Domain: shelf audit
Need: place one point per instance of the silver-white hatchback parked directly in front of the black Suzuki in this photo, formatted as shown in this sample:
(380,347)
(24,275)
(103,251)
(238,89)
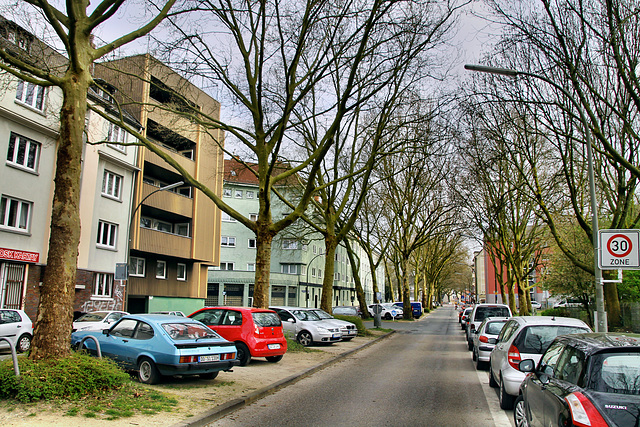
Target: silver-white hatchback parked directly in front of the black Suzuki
(524,337)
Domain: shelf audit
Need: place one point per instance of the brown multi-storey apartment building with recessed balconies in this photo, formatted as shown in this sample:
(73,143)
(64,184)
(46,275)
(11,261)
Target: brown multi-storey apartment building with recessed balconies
(175,234)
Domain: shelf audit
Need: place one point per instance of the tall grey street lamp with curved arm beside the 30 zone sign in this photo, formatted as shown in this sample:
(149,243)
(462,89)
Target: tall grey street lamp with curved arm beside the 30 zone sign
(601,324)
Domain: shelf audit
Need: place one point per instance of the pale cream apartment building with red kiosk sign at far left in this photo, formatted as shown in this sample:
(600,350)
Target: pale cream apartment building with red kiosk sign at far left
(29,123)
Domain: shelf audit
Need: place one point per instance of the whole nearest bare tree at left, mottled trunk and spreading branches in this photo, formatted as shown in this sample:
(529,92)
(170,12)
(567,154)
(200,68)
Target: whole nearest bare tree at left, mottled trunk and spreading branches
(74,30)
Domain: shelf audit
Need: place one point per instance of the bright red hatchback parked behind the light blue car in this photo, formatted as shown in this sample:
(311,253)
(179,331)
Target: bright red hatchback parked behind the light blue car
(257,332)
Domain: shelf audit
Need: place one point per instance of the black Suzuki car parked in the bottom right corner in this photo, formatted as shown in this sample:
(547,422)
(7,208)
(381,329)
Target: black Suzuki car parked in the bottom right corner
(582,380)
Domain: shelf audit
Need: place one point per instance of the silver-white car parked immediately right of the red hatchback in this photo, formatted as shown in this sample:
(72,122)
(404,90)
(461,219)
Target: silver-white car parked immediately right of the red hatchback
(306,326)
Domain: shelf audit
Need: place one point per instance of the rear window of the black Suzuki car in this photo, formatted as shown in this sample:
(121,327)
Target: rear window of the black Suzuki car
(616,373)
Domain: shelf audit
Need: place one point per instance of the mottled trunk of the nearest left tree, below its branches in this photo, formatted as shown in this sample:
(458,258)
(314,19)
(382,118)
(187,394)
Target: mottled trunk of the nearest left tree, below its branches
(52,331)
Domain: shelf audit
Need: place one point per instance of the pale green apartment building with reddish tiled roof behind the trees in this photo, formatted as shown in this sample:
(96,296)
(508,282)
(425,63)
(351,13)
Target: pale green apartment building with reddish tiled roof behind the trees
(297,256)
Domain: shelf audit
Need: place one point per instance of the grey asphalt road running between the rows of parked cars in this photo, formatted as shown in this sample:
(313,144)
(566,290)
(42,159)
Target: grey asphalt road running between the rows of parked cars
(421,376)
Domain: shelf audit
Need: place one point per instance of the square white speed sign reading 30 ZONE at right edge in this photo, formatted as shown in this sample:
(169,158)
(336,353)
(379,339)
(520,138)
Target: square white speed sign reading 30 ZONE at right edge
(619,249)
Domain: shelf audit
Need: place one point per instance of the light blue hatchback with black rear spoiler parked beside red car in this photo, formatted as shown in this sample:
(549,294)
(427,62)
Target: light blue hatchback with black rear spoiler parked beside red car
(158,344)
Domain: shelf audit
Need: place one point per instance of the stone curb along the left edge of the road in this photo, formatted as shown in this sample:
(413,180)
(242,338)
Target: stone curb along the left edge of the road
(235,404)
